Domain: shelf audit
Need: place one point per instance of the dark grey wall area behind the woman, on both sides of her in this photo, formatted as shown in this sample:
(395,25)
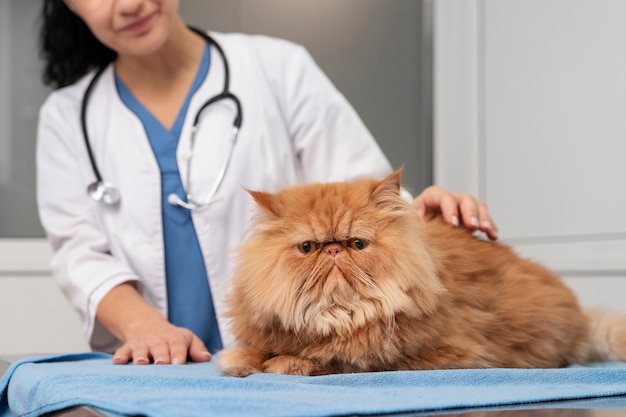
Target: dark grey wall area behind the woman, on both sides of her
(375,51)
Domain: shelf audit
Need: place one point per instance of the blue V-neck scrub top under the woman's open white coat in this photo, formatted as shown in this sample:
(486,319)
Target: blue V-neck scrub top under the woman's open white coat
(190,303)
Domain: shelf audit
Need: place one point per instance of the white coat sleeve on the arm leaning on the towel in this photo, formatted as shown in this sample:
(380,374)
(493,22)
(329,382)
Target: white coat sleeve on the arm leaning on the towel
(81,263)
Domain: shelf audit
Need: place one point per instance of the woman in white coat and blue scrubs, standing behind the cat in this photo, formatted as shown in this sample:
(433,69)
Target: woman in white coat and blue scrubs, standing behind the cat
(142,166)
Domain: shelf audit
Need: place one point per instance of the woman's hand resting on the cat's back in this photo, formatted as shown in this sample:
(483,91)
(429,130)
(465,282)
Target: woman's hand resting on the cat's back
(473,213)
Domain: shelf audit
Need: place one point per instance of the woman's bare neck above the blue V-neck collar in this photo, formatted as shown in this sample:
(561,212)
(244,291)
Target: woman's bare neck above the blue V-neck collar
(180,54)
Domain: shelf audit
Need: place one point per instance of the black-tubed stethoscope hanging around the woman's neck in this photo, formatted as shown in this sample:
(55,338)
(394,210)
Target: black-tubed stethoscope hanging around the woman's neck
(107,193)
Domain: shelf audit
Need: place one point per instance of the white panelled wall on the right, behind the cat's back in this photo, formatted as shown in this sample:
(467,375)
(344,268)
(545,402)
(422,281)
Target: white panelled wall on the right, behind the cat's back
(529,102)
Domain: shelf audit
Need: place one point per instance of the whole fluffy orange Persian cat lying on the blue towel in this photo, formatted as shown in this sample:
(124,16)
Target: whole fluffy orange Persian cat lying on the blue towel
(346,277)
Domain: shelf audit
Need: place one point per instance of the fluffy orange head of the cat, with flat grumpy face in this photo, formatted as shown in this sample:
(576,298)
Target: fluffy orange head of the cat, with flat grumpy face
(327,259)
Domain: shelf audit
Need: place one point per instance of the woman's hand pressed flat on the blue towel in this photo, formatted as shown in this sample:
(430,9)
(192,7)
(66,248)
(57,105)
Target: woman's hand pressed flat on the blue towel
(160,342)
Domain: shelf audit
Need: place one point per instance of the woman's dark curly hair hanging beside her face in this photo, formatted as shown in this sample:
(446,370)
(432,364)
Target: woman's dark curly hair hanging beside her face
(67,46)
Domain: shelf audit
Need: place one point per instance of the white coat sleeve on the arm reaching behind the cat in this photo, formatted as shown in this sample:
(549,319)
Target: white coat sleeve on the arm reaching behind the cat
(329,139)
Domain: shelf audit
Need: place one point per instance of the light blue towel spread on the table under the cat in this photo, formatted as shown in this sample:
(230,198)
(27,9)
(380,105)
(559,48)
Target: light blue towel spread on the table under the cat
(39,385)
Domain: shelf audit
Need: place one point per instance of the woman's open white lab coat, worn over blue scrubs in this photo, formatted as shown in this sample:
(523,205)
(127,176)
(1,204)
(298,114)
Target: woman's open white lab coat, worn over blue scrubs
(296,127)
